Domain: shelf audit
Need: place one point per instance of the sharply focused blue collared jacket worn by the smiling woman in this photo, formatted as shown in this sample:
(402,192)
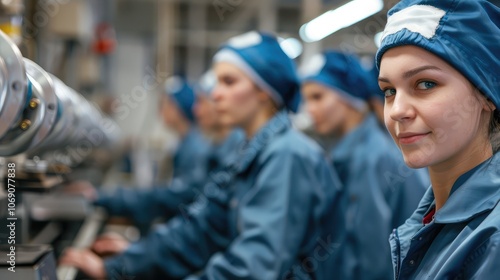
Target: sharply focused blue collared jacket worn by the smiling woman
(462,240)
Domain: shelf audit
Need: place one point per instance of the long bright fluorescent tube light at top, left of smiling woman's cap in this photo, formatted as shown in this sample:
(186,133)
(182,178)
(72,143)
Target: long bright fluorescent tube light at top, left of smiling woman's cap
(339,18)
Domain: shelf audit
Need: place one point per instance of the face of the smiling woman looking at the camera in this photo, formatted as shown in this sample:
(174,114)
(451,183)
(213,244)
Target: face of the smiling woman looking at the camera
(433,113)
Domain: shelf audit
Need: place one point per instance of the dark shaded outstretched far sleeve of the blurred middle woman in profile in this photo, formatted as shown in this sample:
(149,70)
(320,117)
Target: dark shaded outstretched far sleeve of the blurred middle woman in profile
(178,248)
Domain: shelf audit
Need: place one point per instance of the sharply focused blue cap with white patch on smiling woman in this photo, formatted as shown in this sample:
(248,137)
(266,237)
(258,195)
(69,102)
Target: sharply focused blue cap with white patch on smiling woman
(464,33)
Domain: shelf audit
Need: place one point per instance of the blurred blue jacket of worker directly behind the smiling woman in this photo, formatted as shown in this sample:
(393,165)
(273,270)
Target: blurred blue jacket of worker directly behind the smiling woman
(382,192)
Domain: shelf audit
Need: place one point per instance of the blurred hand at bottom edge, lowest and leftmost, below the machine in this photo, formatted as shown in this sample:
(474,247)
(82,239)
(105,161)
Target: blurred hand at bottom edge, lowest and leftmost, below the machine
(85,260)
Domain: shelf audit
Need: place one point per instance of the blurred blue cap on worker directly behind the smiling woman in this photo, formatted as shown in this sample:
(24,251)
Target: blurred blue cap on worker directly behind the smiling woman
(343,73)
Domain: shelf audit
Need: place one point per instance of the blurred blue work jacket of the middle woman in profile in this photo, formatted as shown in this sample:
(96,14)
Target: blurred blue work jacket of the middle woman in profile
(269,215)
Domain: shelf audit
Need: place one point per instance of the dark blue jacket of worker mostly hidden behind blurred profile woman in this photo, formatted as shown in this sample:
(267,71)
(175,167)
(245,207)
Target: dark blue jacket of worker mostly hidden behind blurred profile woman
(145,205)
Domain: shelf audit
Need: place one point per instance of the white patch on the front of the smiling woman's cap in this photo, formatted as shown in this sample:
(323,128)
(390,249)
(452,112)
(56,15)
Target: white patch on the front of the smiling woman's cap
(422,19)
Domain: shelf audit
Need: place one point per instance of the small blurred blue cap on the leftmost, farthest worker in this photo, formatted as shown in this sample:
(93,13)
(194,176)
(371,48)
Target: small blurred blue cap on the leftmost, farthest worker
(182,94)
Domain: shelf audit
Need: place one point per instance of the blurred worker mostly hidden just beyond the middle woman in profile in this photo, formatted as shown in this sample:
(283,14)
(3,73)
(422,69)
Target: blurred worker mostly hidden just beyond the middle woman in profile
(164,202)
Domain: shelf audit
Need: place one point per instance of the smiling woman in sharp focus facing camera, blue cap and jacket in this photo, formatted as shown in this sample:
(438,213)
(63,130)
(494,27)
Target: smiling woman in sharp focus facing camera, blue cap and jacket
(439,63)
